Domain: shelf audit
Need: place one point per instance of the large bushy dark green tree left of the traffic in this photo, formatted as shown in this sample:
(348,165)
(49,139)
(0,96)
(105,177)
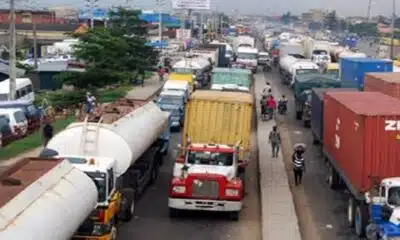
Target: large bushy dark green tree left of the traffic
(111,55)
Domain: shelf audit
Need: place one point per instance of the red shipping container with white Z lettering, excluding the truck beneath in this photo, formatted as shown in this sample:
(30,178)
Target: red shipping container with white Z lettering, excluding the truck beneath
(362,136)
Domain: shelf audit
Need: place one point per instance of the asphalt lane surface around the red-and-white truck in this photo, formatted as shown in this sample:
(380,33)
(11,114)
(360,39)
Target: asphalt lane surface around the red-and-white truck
(151,221)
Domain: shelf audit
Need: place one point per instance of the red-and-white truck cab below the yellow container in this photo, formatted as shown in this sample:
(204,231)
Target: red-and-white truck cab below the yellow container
(207,177)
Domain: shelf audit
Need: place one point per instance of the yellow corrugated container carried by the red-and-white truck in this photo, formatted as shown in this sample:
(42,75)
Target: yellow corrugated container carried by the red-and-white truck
(219,117)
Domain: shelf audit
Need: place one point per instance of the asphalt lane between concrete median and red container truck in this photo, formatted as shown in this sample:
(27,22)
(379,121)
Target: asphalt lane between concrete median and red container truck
(321,211)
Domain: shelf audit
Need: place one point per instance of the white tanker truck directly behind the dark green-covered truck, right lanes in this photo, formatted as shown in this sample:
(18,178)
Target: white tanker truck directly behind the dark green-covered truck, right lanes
(290,67)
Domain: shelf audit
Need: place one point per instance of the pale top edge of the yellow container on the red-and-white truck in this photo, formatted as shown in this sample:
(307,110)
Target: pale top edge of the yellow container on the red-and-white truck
(222,96)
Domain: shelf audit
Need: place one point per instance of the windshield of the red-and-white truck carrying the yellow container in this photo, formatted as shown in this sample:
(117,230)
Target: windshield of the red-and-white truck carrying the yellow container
(210,158)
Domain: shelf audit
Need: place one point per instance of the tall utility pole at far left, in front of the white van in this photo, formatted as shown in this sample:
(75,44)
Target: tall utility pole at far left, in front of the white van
(13,49)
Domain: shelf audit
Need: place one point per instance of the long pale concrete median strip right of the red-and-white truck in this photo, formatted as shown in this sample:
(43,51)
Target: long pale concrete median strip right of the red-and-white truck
(278,215)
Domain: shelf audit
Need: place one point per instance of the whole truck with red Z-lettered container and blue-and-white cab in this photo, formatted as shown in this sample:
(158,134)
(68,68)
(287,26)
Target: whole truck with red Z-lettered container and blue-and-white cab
(361,144)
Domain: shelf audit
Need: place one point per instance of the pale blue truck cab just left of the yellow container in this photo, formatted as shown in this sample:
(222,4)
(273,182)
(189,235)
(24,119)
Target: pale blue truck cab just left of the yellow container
(173,102)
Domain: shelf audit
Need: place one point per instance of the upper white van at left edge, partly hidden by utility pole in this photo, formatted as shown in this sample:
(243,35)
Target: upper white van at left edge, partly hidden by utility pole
(24,89)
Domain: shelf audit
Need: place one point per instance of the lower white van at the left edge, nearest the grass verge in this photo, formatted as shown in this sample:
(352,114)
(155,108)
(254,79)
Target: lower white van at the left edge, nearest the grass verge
(18,122)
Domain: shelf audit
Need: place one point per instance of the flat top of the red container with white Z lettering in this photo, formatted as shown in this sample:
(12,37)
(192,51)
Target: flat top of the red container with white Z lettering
(368,103)
